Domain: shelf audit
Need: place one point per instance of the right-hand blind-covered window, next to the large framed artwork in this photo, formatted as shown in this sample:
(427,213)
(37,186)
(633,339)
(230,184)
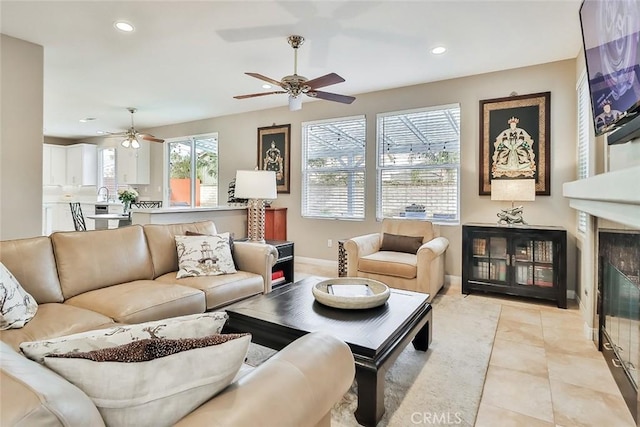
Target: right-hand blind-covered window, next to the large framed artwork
(418,164)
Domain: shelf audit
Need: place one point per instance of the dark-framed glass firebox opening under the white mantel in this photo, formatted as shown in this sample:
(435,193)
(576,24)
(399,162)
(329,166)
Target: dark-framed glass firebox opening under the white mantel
(619,308)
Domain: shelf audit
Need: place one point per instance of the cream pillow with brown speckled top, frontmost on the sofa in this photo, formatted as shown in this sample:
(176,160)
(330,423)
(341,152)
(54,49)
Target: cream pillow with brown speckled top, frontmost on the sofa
(159,391)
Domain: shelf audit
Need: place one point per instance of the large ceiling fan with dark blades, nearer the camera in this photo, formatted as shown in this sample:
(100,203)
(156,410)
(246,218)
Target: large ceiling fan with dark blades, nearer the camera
(296,85)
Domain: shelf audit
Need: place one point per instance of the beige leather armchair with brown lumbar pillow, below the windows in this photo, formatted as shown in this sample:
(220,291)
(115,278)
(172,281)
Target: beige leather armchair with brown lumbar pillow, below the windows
(421,271)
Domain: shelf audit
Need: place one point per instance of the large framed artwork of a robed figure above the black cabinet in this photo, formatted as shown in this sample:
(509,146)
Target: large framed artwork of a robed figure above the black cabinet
(514,140)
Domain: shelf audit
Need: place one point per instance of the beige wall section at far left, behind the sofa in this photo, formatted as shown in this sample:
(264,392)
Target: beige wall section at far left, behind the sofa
(20,138)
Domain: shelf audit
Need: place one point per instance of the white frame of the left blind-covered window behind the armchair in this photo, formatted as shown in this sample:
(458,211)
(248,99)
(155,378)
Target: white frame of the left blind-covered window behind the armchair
(356,208)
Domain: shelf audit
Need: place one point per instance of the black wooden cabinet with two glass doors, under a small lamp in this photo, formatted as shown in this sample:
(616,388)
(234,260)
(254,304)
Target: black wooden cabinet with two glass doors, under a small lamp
(527,261)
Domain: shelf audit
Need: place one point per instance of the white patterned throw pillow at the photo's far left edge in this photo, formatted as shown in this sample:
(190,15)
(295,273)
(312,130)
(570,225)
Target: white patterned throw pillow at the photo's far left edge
(17,307)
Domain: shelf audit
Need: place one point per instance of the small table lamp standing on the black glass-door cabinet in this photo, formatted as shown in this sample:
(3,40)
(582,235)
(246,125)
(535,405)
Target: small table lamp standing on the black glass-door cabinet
(513,190)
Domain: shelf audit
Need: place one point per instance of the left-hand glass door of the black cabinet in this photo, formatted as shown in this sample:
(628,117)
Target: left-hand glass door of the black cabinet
(490,258)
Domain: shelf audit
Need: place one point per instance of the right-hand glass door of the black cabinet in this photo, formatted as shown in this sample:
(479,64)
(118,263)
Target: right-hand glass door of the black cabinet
(533,262)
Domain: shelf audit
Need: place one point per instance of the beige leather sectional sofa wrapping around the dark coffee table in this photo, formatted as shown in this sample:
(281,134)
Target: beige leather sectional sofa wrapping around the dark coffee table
(95,279)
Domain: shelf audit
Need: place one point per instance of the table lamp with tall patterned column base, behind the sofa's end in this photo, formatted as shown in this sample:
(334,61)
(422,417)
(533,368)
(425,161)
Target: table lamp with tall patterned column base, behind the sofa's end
(257,186)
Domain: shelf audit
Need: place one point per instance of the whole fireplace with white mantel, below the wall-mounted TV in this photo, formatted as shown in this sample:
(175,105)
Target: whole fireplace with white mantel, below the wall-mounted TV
(611,254)
